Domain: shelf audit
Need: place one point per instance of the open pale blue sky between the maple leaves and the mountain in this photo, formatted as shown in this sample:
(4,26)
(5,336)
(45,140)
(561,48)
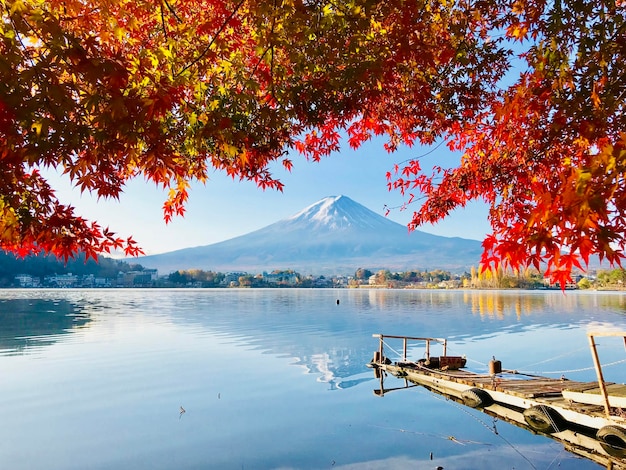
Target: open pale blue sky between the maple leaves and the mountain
(223,208)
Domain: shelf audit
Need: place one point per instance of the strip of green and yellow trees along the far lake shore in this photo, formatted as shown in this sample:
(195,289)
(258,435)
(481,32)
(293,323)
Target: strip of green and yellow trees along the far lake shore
(42,266)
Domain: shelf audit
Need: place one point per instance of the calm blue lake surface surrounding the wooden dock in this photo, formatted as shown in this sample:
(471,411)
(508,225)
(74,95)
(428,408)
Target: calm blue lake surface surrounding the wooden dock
(276,379)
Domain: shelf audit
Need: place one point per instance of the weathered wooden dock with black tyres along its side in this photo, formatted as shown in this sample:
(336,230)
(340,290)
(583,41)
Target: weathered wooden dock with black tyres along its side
(586,415)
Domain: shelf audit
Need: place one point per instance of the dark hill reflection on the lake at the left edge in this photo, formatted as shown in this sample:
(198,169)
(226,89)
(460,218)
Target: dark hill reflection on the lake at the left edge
(33,323)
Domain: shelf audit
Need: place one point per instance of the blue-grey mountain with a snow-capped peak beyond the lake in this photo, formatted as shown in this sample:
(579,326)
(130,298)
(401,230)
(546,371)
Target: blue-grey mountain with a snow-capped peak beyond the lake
(333,236)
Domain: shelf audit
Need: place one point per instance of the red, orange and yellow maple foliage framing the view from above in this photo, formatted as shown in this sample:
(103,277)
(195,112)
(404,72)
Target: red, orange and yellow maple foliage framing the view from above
(530,93)
